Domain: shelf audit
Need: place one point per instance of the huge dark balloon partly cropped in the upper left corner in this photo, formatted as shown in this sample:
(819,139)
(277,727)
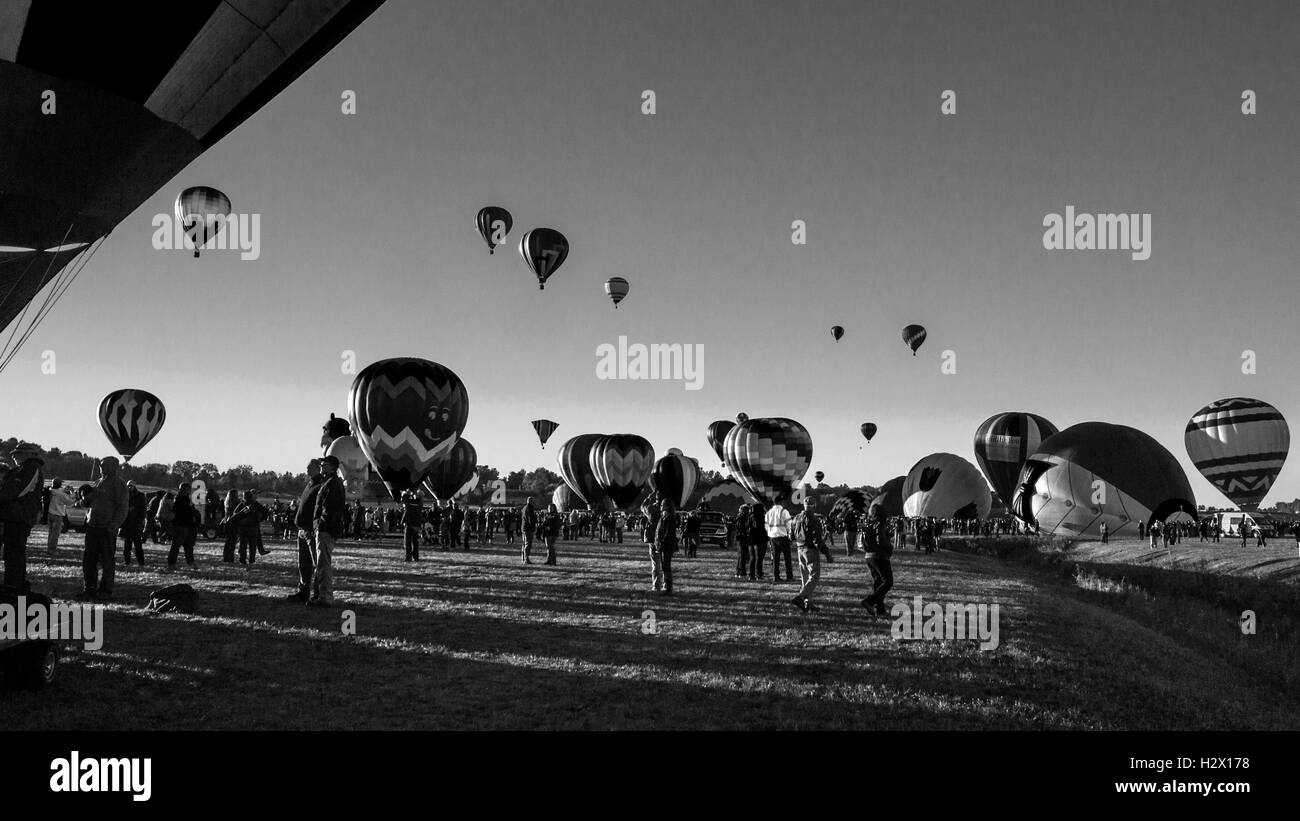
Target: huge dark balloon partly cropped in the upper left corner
(125,128)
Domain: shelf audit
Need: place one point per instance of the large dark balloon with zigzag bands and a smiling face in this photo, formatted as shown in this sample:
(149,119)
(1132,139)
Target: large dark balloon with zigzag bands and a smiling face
(408,414)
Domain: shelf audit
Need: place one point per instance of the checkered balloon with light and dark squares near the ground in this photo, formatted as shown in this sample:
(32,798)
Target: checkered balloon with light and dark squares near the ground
(769,457)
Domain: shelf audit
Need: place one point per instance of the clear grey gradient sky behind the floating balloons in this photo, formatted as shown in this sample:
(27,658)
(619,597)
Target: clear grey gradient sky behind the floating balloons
(766,114)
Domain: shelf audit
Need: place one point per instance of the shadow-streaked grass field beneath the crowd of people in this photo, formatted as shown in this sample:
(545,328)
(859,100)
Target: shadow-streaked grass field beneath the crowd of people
(479,641)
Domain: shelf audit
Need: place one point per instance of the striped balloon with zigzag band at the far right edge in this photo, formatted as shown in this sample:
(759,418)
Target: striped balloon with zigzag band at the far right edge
(1240,446)
